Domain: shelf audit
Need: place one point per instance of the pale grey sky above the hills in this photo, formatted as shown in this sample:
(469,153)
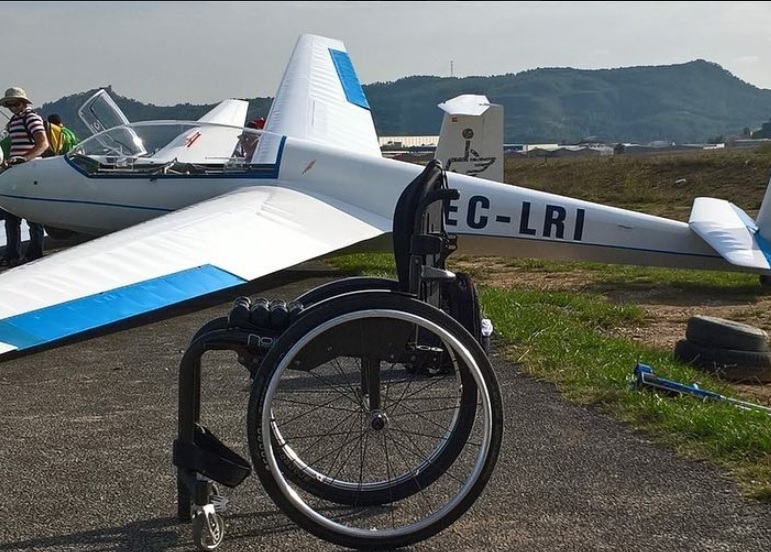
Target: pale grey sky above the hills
(167,53)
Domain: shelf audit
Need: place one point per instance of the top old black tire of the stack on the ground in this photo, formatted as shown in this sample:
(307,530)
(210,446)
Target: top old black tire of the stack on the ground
(719,333)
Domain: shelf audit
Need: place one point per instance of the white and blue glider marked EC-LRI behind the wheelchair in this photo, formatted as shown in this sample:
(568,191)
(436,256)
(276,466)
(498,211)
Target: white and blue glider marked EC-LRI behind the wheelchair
(316,184)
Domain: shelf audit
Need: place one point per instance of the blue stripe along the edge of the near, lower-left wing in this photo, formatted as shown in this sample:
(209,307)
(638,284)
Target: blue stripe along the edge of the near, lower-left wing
(88,313)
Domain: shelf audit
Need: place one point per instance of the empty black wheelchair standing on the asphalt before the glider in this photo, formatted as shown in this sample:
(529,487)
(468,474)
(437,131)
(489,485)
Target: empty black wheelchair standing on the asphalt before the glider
(374,417)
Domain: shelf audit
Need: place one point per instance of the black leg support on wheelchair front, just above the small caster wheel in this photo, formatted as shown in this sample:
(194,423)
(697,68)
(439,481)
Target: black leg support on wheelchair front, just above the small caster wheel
(211,458)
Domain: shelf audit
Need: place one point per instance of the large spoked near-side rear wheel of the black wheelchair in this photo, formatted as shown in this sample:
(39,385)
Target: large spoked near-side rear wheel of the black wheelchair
(375,420)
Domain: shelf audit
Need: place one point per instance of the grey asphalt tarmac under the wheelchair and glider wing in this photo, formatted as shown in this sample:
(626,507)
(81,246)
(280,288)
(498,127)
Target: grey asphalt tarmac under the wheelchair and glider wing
(86,433)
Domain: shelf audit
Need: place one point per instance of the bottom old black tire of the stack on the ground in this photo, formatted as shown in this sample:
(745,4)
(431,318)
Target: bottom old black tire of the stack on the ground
(728,364)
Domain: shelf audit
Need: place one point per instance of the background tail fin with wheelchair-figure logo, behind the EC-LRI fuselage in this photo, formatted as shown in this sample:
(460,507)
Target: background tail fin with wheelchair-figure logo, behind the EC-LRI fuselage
(471,138)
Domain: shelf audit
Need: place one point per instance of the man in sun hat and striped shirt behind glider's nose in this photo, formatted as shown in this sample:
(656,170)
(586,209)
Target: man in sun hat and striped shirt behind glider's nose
(28,141)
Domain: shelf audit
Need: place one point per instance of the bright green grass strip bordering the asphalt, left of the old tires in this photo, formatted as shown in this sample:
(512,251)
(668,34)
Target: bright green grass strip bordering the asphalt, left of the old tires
(560,337)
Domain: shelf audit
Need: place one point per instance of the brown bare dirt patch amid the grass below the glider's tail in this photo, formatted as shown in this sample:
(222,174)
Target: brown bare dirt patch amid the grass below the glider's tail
(667,307)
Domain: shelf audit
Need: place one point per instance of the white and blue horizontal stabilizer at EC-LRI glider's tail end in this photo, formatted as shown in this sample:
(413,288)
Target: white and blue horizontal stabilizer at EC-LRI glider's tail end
(730,232)
